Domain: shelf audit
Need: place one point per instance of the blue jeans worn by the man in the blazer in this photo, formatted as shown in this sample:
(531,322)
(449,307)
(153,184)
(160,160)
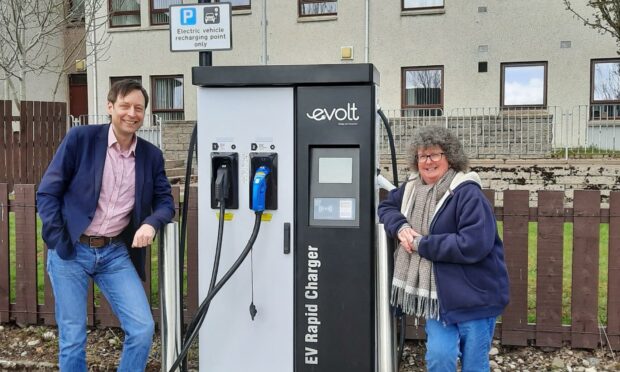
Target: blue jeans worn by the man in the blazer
(111,268)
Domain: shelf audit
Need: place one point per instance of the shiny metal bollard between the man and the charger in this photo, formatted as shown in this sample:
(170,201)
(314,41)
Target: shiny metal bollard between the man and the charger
(169,295)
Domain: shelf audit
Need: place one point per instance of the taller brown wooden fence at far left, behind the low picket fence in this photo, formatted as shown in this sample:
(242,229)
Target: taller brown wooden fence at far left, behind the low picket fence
(28,141)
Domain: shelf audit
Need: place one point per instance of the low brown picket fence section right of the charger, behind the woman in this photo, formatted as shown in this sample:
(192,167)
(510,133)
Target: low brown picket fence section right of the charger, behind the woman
(585,330)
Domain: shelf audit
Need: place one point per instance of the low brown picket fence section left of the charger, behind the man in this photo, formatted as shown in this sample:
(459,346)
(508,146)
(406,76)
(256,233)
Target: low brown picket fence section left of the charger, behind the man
(26,309)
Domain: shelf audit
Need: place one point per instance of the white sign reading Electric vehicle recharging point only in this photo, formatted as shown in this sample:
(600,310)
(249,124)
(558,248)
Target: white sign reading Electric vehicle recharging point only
(200,27)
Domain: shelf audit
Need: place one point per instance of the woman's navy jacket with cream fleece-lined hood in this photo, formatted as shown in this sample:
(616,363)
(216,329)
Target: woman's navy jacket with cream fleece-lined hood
(467,253)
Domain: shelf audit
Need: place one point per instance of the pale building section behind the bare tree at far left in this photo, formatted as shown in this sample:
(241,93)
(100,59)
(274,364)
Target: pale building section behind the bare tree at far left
(48,56)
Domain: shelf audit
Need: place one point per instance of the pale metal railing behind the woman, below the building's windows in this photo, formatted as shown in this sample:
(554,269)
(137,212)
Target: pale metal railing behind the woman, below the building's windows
(489,132)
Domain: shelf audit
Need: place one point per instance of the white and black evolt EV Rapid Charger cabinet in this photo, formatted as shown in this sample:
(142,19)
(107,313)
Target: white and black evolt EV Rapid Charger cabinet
(305,300)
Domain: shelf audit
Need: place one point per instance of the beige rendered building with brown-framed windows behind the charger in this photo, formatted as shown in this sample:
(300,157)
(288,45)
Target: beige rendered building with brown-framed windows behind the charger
(434,56)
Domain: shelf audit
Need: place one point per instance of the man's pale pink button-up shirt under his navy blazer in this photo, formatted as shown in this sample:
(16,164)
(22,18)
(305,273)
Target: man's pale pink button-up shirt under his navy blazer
(117,196)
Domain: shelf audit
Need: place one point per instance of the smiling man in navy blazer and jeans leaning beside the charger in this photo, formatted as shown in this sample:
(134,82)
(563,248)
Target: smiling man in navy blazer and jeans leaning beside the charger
(101,200)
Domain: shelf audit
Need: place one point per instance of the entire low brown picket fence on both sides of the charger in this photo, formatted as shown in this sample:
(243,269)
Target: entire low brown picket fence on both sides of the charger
(587,215)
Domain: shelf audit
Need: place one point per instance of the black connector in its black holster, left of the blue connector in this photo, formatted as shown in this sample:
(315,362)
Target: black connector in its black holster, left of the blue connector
(225,180)
